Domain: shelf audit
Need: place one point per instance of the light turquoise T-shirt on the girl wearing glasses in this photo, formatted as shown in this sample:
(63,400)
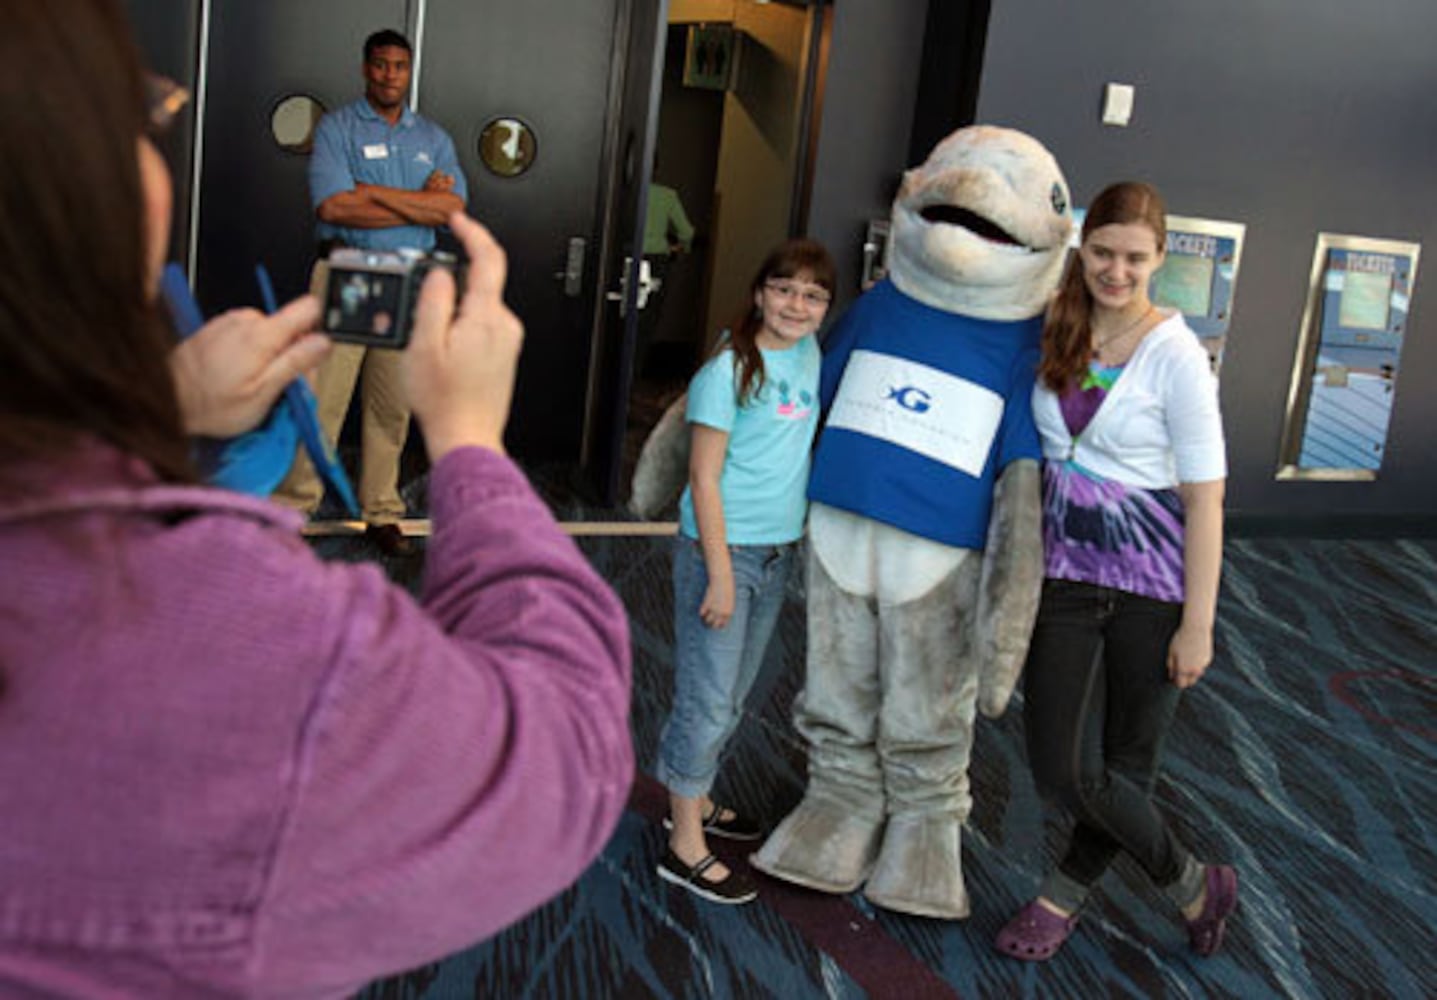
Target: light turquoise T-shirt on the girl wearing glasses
(771,437)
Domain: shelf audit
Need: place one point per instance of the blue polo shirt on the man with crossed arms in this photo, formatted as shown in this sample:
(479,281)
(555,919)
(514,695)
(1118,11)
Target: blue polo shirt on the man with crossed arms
(357,146)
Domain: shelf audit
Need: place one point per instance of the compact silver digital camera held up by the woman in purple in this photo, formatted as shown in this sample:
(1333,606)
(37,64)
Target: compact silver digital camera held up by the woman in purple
(369,297)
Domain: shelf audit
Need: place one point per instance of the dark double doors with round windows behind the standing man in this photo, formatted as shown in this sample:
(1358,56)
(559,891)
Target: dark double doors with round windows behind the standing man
(565,85)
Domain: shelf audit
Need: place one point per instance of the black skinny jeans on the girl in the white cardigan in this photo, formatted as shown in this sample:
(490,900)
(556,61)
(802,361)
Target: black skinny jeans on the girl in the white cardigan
(1099,706)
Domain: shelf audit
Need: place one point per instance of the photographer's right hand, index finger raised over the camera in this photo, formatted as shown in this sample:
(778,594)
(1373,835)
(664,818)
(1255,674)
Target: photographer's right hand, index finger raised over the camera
(459,370)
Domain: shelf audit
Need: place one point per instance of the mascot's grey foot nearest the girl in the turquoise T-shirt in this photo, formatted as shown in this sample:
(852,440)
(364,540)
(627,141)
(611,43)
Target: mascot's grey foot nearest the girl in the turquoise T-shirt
(821,846)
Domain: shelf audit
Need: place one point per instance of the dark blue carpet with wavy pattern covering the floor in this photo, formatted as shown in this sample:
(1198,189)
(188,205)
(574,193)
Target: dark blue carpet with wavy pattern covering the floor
(1307,758)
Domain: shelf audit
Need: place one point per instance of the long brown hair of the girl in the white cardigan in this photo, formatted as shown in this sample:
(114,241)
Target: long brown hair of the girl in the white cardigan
(1068,325)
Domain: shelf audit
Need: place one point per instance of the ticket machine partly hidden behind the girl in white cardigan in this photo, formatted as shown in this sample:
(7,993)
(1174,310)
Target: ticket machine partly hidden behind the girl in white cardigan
(1199,277)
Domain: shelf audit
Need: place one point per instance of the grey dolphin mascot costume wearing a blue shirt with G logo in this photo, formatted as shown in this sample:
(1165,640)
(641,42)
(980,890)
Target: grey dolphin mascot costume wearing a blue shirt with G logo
(926,547)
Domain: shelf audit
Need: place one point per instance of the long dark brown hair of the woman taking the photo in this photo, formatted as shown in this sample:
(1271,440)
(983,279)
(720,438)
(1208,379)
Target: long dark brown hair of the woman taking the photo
(83,350)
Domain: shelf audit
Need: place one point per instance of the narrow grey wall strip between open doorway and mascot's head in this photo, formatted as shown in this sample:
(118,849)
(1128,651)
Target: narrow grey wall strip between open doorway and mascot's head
(869,108)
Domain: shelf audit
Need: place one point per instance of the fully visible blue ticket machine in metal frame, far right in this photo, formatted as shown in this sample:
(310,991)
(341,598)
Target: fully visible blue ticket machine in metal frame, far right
(1344,377)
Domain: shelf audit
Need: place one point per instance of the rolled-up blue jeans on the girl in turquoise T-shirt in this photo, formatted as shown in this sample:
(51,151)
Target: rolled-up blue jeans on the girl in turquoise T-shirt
(716,667)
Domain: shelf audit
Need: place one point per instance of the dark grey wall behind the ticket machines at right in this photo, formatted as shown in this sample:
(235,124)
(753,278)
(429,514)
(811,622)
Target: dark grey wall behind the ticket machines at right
(1291,119)
